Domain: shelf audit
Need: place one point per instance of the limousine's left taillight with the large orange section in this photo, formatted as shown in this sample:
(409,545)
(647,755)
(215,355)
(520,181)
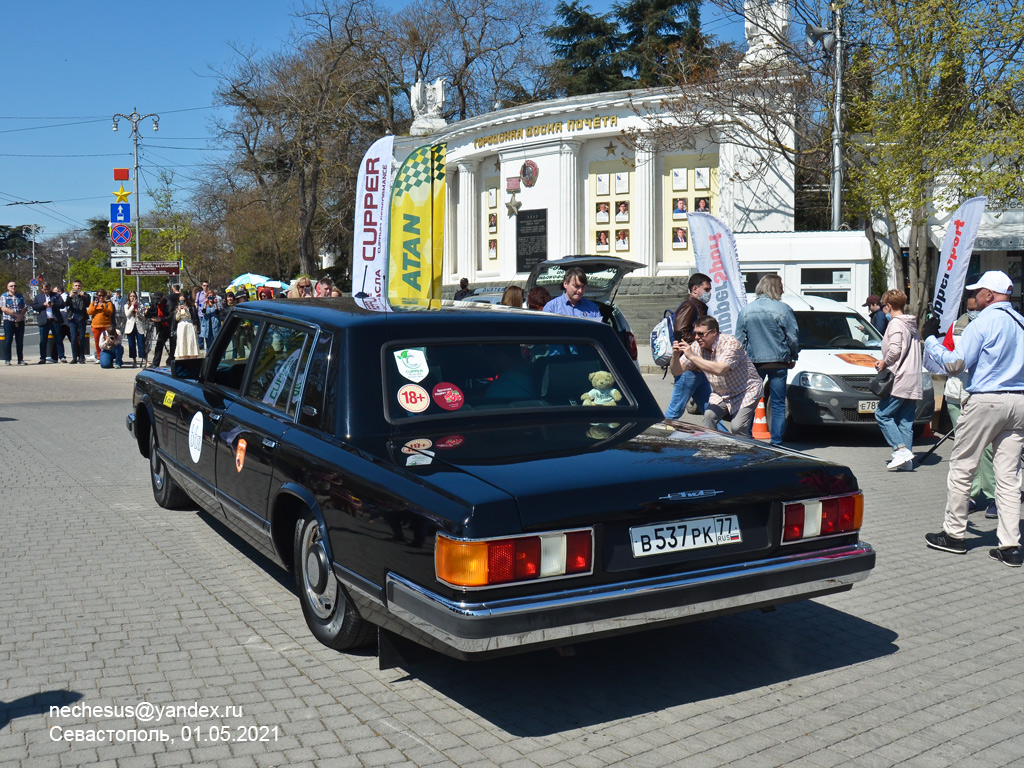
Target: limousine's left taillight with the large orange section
(498,562)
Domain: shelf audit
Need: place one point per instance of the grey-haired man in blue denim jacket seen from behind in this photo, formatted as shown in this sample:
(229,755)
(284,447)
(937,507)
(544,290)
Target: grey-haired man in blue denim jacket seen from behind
(767,329)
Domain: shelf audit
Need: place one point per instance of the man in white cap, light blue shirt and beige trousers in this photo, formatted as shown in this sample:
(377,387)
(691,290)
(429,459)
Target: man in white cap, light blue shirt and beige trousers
(993,351)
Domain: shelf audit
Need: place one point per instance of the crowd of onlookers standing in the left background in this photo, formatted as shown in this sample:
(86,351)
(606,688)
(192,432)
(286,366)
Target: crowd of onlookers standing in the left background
(183,323)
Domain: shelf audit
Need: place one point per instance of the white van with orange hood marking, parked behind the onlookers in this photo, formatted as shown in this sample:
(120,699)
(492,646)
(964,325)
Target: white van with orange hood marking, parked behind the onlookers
(838,351)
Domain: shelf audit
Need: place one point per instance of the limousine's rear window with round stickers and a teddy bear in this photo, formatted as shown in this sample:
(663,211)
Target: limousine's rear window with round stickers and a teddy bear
(455,379)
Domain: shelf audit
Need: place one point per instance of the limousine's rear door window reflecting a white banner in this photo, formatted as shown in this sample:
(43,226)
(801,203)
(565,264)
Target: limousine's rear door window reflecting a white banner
(279,367)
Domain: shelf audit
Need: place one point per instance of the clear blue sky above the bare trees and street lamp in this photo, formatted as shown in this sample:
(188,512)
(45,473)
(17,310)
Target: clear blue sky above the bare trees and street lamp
(71,66)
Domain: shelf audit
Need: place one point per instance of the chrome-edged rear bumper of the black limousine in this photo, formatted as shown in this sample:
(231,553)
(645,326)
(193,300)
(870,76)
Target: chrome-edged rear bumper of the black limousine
(468,629)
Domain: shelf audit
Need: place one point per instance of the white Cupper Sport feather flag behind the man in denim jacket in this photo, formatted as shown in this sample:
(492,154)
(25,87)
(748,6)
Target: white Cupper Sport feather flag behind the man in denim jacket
(715,249)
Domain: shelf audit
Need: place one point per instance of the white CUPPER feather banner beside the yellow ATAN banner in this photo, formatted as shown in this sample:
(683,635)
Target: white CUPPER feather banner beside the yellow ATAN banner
(370,240)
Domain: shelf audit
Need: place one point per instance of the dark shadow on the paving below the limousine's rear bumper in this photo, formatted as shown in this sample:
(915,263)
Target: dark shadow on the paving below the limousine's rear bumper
(542,694)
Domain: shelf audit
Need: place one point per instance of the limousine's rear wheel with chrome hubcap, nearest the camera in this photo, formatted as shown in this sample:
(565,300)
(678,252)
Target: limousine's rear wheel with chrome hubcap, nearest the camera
(330,615)
